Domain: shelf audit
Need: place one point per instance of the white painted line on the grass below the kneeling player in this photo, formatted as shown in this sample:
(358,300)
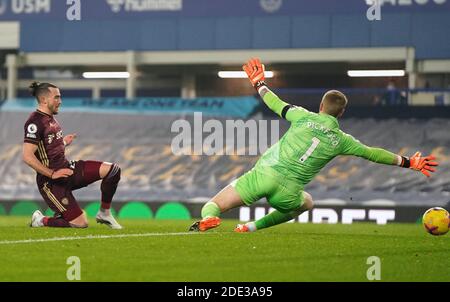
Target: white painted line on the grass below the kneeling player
(6,242)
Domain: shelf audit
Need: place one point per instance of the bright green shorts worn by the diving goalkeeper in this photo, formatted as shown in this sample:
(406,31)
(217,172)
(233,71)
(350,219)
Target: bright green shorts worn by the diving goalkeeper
(282,194)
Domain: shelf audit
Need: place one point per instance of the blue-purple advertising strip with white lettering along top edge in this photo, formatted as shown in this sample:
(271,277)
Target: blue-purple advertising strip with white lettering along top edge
(132,9)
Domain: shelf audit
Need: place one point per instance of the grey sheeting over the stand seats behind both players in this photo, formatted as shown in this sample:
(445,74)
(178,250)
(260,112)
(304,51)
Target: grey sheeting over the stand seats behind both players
(143,144)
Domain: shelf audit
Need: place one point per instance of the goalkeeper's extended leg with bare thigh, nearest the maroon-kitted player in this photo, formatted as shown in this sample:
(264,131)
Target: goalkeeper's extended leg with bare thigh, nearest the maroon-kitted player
(225,200)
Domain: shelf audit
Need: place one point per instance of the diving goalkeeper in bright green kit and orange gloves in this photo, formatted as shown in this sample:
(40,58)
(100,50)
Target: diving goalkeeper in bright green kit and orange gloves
(281,173)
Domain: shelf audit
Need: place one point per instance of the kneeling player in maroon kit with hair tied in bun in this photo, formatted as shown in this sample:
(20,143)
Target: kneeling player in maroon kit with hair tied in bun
(43,150)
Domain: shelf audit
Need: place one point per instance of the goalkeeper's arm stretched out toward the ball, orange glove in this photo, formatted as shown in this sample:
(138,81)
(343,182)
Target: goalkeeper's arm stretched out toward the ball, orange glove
(426,164)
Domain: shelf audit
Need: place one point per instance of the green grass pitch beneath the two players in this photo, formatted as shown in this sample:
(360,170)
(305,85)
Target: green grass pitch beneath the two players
(290,252)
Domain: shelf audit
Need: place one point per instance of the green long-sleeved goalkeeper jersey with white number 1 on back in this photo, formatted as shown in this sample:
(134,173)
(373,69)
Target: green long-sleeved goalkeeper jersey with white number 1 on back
(312,140)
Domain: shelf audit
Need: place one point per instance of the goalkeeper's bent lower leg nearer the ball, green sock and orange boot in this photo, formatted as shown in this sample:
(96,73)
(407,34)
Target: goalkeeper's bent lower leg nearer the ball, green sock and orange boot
(277,217)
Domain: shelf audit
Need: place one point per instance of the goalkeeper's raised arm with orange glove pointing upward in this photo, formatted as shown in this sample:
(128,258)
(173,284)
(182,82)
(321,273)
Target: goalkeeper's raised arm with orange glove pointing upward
(255,72)
